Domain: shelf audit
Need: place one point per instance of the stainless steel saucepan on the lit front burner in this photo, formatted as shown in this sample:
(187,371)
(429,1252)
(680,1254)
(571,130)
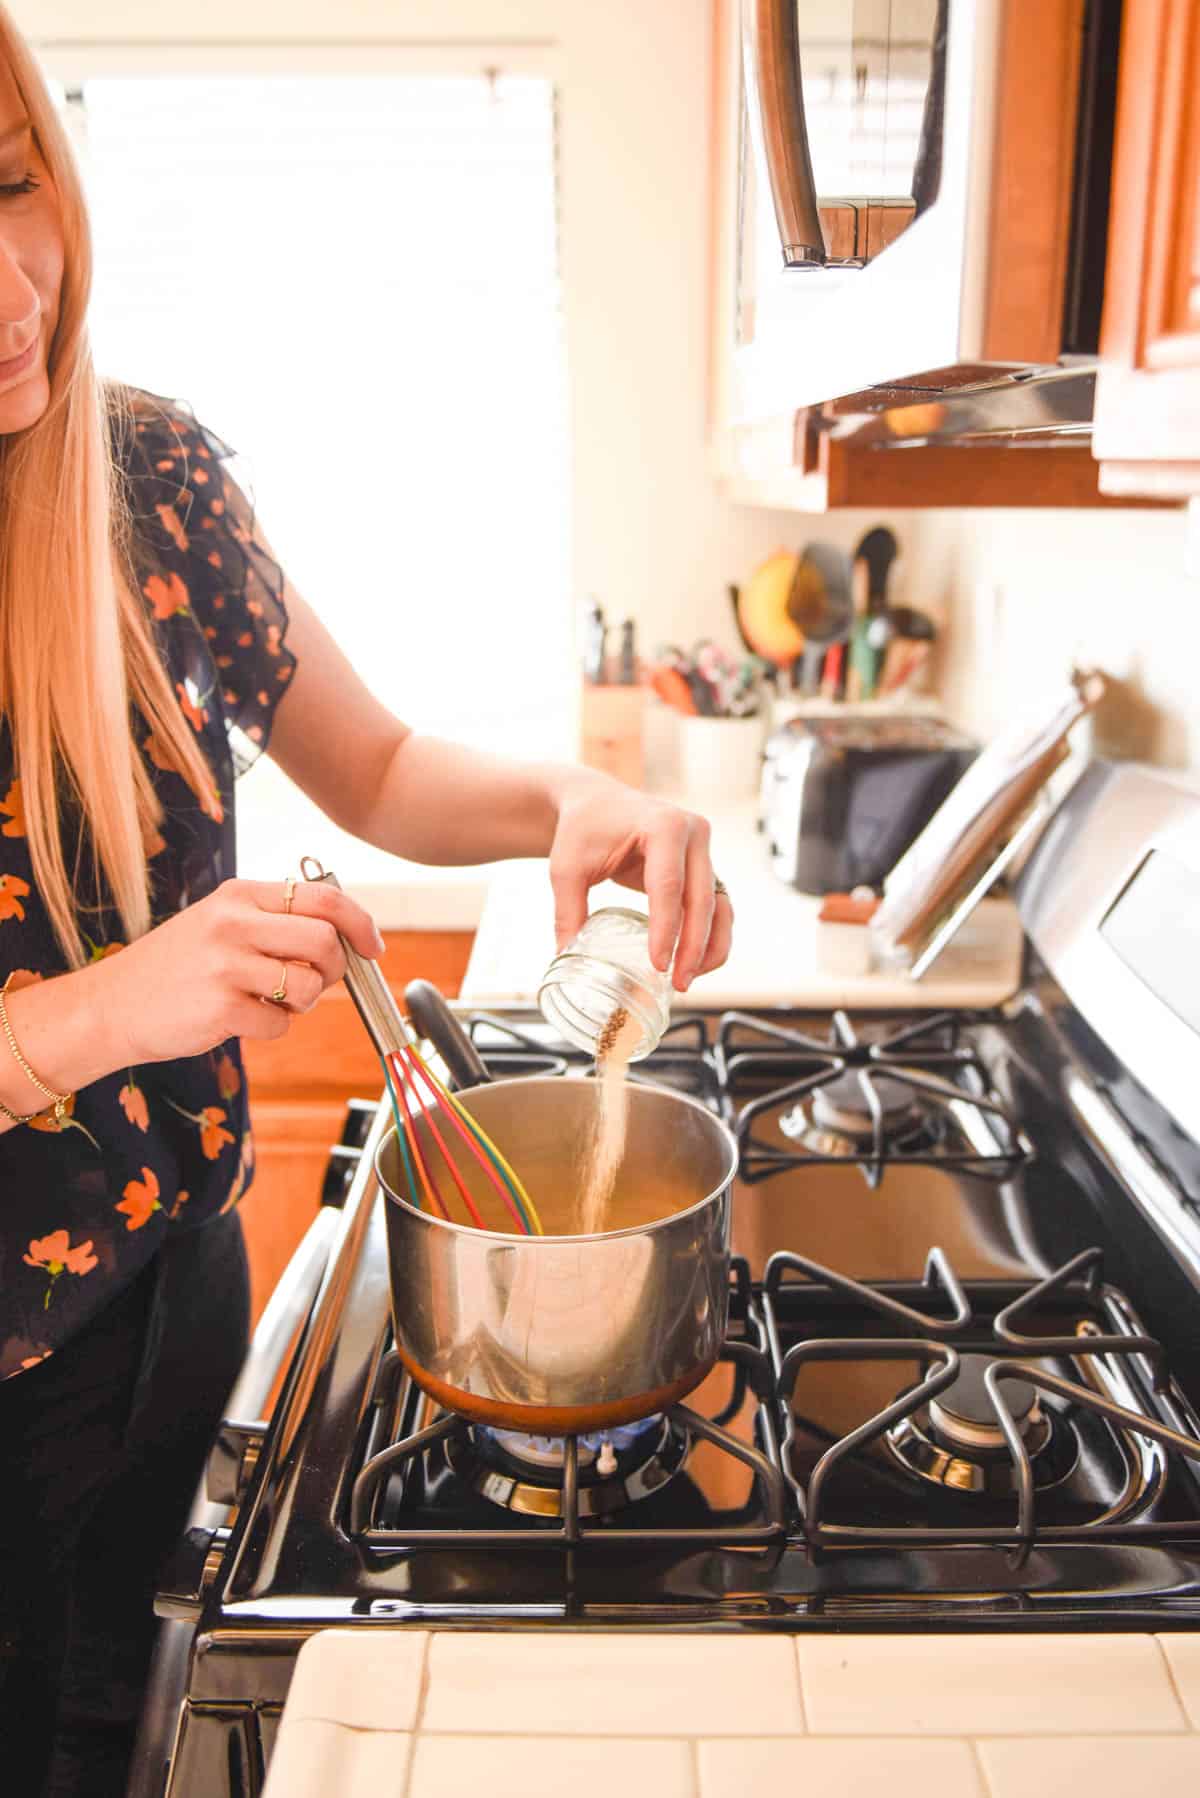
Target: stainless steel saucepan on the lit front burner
(560,1335)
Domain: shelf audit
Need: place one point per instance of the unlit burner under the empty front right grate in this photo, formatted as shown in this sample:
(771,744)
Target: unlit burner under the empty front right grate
(956,1441)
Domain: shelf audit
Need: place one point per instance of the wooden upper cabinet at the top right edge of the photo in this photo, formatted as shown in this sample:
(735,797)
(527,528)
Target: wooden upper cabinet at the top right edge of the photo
(1149,393)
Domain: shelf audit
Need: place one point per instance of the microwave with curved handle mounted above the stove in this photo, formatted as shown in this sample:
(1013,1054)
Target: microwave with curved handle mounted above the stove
(904,191)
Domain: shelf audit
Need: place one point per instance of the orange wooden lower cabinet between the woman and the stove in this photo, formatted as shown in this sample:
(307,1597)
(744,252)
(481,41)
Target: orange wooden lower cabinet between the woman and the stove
(300,1089)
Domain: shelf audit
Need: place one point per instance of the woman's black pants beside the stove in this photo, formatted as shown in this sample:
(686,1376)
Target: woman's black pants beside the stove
(102,1450)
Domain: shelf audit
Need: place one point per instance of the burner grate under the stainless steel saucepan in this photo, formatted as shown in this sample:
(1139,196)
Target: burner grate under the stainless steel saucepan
(744,1353)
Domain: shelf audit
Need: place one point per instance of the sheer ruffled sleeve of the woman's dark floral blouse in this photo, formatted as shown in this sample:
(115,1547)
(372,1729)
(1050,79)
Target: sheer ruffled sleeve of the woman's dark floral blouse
(237,591)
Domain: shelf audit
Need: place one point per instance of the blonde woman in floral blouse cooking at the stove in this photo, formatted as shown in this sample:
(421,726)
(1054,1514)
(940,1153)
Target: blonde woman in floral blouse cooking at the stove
(150,648)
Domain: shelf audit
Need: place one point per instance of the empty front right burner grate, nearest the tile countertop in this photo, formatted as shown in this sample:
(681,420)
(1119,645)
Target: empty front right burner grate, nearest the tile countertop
(936,1326)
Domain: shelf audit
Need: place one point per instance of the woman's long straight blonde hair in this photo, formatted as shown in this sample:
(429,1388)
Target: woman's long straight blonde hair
(76,648)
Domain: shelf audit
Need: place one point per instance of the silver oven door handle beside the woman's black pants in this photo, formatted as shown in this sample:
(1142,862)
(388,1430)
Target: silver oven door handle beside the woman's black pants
(240,1438)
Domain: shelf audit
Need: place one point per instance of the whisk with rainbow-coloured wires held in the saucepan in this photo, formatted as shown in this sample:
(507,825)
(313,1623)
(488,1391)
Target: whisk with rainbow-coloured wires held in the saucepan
(416,1094)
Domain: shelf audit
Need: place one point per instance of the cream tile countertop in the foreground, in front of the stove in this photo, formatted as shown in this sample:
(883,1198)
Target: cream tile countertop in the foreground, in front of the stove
(542,1714)
